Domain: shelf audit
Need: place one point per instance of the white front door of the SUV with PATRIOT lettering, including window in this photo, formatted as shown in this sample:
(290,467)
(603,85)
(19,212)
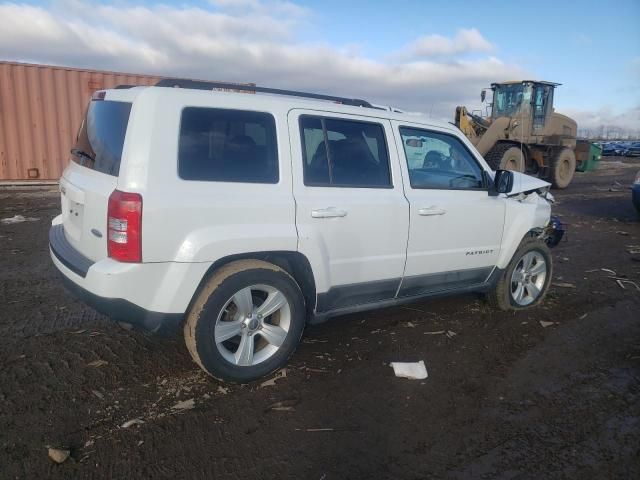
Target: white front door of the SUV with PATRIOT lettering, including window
(456,227)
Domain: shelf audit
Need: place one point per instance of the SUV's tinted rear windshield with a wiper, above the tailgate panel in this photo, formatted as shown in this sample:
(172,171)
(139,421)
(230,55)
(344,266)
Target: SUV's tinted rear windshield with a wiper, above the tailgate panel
(101,136)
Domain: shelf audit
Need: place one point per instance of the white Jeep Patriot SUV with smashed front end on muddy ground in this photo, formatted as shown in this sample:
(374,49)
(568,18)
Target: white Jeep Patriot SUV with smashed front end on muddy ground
(241,216)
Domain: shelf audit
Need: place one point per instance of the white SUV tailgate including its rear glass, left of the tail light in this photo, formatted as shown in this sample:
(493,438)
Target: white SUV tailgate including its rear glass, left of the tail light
(92,175)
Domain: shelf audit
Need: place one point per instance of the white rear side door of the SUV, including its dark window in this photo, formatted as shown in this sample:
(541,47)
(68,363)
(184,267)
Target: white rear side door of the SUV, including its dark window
(351,213)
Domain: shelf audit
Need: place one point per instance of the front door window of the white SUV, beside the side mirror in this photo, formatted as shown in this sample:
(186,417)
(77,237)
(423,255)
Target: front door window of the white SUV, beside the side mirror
(439,161)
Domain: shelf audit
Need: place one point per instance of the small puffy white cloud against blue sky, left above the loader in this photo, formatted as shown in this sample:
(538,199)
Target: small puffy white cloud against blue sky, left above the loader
(465,41)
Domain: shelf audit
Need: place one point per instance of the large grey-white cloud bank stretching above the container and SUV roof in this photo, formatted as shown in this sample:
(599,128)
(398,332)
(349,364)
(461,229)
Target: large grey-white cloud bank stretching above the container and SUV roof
(247,41)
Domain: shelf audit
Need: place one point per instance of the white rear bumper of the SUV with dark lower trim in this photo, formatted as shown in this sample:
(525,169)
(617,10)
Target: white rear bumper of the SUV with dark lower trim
(151,296)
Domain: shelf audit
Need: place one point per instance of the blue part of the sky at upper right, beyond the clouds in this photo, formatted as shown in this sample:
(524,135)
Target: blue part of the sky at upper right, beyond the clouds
(588,46)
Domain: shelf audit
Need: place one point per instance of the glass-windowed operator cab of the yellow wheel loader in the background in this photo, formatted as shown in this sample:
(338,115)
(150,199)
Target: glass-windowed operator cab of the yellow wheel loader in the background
(523,100)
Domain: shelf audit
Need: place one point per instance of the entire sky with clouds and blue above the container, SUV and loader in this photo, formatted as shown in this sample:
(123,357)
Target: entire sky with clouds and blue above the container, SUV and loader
(419,55)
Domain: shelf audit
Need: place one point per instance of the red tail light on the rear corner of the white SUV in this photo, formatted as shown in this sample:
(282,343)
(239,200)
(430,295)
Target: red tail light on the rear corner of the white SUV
(124,227)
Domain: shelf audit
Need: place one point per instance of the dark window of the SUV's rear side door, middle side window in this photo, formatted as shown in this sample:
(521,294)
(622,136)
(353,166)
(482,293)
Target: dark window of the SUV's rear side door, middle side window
(344,153)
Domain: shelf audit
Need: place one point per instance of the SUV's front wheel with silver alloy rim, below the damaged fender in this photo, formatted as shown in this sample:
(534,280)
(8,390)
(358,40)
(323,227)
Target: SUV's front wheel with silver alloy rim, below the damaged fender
(526,279)
